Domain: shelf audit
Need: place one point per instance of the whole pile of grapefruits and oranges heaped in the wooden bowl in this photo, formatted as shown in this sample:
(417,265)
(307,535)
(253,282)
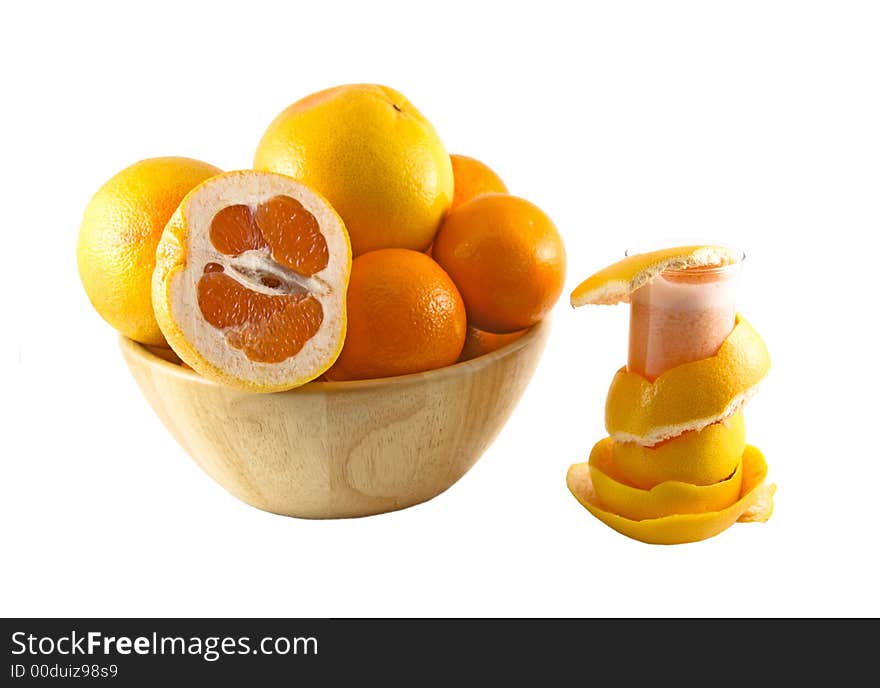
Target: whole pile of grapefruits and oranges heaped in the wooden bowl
(356,248)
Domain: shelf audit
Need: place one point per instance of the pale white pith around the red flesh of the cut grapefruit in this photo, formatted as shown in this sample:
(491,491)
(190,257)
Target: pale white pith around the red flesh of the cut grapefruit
(327,286)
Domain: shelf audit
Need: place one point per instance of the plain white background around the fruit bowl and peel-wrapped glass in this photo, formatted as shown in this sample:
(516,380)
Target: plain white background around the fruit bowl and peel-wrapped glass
(755,123)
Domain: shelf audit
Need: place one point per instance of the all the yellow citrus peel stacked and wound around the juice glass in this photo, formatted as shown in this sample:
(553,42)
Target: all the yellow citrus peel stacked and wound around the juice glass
(675,467)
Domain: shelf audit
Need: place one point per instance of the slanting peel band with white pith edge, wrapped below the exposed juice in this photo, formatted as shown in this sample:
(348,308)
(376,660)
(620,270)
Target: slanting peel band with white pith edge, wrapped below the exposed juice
(690,396)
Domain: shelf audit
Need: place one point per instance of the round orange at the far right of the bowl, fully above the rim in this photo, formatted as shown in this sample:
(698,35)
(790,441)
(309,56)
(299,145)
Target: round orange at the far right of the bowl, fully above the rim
(507,259)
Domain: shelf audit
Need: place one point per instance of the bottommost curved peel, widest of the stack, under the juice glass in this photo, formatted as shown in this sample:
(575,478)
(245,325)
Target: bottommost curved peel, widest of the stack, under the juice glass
(755,503)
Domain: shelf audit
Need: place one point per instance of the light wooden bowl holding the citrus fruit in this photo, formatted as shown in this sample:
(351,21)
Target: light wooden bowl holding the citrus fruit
(341,449)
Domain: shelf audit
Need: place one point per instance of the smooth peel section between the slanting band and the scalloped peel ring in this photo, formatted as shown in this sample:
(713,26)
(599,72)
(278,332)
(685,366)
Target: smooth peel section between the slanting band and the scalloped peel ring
(698,457)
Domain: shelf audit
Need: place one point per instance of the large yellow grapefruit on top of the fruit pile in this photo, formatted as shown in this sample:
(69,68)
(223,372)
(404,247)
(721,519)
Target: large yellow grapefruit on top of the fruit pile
(373,155)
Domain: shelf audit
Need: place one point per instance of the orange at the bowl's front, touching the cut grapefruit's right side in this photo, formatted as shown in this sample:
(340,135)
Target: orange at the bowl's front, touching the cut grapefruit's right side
(404,316)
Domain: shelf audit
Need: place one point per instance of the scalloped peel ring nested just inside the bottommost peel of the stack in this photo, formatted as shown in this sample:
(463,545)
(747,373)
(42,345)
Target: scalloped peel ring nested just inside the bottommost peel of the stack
(666,499)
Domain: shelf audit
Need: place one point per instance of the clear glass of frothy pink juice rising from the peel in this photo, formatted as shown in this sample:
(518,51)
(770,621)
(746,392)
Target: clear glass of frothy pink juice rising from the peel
(682,316)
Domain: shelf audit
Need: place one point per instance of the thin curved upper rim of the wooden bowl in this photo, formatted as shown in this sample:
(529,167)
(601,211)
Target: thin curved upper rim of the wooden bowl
(316,386)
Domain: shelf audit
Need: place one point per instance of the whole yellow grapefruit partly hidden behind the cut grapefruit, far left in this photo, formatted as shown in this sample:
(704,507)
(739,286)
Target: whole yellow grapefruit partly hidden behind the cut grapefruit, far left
(116,250)
